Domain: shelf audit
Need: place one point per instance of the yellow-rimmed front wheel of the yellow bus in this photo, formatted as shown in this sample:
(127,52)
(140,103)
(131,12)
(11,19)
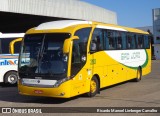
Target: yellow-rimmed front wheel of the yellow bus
(94,87)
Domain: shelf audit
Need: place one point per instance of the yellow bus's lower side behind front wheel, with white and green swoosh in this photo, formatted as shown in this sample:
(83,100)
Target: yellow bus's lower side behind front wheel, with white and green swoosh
(122,69)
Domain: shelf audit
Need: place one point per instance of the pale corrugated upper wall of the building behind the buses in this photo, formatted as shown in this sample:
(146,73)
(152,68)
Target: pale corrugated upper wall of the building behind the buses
(73,9)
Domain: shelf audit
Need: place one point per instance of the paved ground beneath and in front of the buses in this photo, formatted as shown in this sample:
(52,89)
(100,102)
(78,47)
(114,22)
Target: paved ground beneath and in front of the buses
(145,93)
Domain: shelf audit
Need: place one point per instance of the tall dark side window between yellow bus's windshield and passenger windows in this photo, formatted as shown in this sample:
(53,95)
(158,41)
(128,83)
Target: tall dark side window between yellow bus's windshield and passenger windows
(79,50)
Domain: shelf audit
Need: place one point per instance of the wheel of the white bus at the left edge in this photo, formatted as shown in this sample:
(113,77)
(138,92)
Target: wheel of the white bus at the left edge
(11,78)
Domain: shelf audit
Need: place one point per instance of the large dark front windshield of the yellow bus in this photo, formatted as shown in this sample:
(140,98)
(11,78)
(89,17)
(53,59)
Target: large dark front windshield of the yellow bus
(42,56)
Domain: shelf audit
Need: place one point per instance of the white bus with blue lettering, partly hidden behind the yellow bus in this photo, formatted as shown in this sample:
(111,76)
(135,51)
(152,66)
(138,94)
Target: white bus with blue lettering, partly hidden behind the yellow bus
(9,51)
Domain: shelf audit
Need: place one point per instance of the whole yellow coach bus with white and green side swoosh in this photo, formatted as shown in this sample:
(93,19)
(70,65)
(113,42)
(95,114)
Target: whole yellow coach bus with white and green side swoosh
(71,57)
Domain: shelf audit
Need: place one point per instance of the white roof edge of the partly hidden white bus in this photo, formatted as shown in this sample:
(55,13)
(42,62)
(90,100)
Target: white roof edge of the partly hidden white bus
(11,35)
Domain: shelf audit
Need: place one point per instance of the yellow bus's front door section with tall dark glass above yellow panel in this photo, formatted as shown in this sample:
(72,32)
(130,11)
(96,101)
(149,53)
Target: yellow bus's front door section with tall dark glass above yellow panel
(79,63)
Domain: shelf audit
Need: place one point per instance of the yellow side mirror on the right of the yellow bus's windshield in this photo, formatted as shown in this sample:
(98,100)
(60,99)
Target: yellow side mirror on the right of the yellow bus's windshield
(67,43)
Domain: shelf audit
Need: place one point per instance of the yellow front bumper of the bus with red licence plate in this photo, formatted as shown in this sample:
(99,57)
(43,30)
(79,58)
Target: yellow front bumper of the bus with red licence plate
(63,91)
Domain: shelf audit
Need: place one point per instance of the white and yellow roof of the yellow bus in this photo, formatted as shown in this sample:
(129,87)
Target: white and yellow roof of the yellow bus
(67,23)
